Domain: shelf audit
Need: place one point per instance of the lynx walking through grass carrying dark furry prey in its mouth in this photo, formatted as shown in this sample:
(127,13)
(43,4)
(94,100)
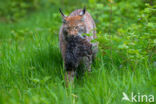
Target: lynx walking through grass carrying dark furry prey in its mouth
(76,48)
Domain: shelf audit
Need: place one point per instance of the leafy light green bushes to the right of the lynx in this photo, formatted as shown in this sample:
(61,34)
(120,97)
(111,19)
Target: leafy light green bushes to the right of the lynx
(134,42)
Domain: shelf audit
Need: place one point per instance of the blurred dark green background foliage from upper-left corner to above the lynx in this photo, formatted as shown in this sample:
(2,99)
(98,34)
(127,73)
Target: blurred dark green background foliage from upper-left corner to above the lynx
(13,10)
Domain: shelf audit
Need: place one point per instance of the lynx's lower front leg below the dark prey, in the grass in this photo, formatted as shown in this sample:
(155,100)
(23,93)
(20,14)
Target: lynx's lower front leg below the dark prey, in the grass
(69,77)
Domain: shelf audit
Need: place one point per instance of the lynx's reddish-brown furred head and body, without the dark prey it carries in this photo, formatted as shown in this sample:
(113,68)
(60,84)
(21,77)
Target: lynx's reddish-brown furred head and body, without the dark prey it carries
(76,24)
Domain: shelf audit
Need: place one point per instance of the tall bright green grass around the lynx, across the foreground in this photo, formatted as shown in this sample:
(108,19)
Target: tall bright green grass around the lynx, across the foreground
(31,68)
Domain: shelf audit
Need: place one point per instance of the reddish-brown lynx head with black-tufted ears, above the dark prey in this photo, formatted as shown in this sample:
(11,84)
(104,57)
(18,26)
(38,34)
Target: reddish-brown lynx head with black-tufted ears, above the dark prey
(73,25)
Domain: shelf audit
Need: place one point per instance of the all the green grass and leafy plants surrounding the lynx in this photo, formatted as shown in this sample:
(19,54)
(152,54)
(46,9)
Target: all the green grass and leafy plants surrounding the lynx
(31,68)
